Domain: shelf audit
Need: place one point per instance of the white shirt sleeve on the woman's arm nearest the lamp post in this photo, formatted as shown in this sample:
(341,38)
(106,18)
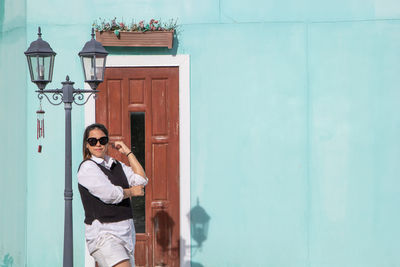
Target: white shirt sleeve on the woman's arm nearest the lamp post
(92,178)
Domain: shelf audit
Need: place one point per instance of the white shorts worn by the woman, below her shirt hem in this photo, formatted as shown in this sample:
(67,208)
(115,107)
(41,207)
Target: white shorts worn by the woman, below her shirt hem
(111,251)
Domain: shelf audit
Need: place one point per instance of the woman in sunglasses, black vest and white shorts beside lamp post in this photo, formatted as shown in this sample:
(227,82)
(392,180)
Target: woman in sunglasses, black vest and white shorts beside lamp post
(106,186)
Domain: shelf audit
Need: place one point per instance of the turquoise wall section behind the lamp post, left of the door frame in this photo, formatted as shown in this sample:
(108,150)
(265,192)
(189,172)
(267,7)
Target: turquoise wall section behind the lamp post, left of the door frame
(45,215)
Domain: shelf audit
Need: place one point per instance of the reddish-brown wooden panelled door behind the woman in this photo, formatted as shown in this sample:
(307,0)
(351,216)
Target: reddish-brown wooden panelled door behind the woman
(140,107)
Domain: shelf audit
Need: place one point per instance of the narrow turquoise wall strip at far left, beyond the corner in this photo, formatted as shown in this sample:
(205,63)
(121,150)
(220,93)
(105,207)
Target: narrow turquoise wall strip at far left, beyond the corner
(13,121)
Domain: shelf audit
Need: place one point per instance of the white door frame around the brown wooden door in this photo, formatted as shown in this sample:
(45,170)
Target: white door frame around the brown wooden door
(181,61)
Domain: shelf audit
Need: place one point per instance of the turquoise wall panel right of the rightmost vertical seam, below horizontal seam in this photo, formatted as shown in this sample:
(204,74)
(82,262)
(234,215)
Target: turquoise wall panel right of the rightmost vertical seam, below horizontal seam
(354,145)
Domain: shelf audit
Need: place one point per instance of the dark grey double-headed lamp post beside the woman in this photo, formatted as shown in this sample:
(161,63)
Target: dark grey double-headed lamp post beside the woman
(40,58)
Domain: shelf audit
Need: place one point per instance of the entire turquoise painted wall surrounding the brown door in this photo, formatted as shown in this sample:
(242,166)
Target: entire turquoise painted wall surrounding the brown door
(294,128)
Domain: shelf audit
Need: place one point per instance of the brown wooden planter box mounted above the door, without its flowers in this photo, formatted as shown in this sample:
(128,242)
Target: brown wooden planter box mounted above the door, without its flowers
(137,39)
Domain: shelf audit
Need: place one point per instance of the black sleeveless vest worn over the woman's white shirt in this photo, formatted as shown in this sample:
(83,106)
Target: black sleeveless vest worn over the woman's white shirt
(95,209)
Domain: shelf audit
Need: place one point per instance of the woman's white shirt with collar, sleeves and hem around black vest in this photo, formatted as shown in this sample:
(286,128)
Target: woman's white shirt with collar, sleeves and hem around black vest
(93,178)
